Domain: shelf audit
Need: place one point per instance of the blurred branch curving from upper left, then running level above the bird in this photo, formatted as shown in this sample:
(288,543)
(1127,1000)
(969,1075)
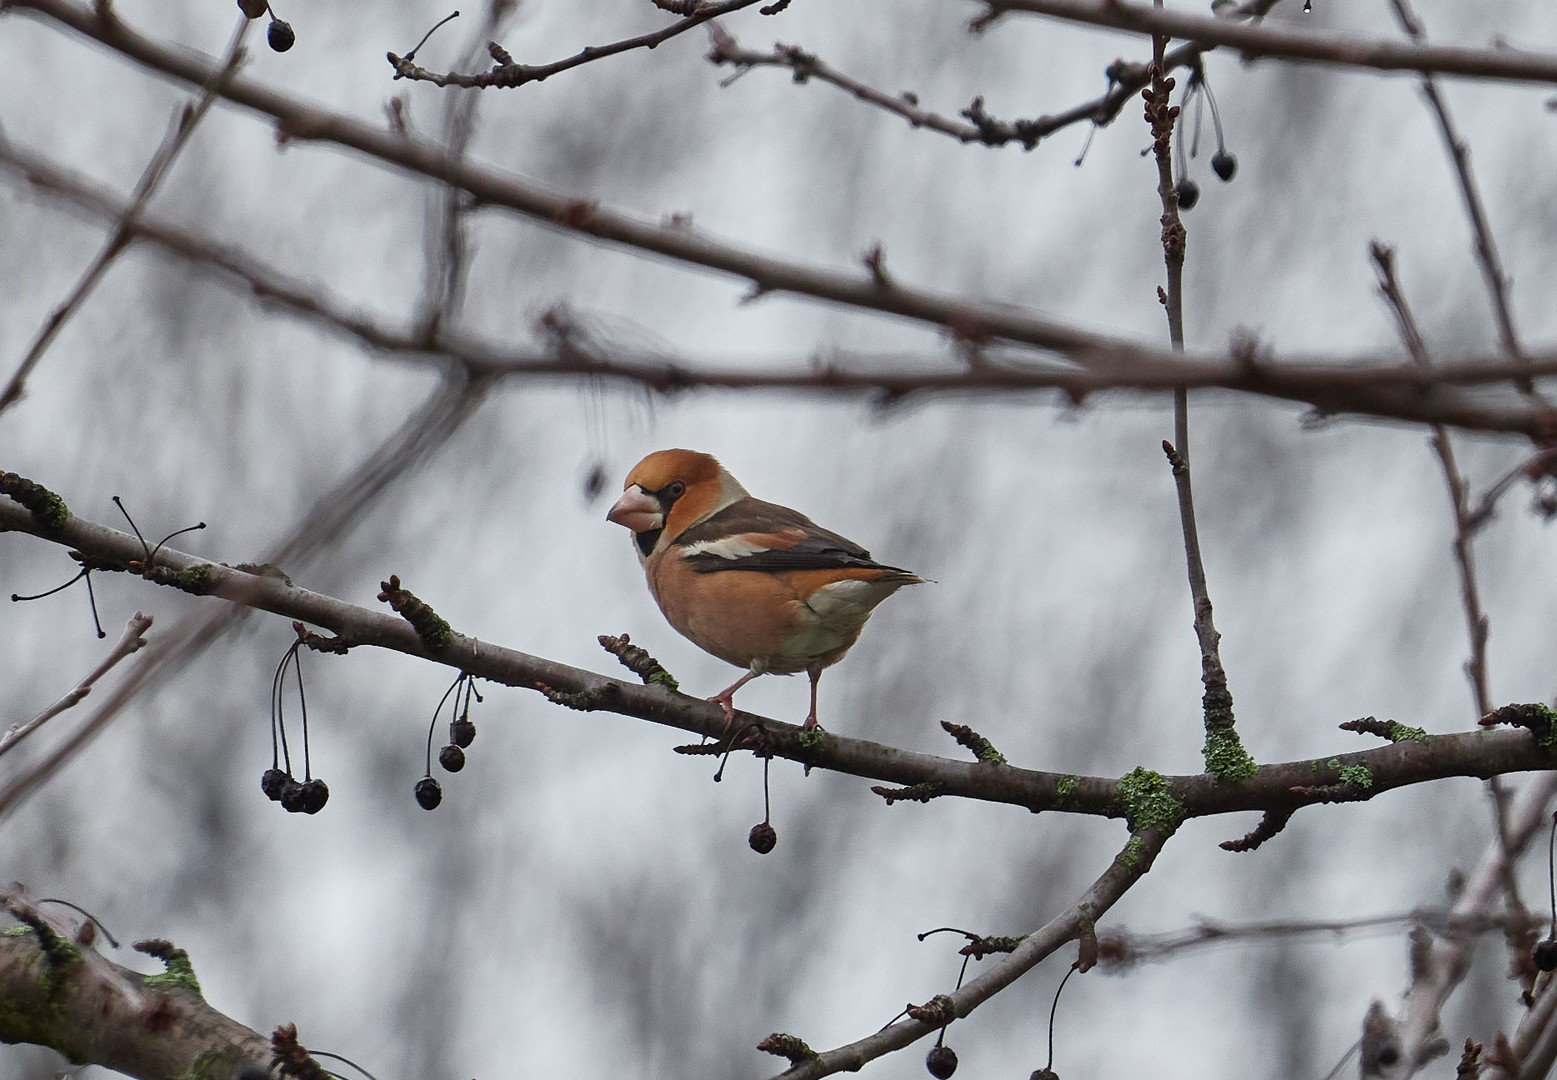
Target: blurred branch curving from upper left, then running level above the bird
(1362,385)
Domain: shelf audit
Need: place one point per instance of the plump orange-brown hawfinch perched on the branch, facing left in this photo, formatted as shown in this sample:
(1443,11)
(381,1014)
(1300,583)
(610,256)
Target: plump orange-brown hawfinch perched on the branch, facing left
(756,584)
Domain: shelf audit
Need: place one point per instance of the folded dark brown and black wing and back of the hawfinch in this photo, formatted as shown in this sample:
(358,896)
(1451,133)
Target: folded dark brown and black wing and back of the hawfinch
(798,542)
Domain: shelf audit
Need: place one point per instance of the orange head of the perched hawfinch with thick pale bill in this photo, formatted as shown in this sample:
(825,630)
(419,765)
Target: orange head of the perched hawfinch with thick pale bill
(669,493)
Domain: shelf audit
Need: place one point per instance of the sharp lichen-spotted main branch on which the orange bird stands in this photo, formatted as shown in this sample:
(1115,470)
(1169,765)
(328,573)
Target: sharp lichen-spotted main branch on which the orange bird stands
(1142,796)
